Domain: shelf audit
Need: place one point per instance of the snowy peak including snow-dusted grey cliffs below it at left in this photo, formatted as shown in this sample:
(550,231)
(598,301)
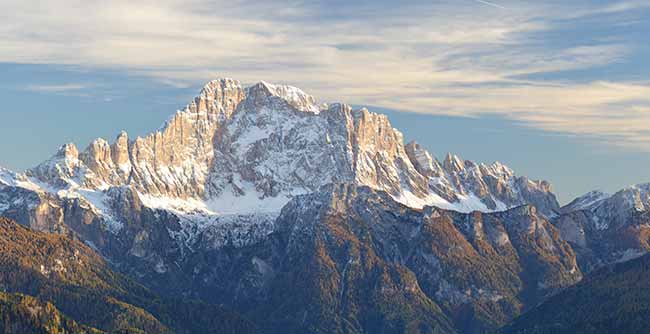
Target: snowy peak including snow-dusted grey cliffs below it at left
(223,167)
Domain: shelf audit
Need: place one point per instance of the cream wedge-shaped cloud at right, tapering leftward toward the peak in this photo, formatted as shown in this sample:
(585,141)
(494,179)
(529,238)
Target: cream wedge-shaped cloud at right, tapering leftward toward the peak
(616,113)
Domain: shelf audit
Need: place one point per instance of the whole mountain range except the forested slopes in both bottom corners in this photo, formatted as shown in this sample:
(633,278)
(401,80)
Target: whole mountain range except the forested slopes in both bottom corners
(308,217)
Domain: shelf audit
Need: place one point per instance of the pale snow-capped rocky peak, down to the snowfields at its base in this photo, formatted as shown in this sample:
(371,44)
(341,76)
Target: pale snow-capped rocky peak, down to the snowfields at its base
(236,150)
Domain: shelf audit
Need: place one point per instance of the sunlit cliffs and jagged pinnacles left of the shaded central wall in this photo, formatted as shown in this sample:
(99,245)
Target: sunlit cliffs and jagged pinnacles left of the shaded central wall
(173,161)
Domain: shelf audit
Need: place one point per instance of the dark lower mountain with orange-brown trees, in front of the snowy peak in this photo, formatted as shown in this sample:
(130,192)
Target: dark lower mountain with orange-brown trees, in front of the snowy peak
(352,259)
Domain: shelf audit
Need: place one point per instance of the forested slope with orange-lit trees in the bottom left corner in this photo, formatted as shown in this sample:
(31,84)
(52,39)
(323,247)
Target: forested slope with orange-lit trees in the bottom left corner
(62,276)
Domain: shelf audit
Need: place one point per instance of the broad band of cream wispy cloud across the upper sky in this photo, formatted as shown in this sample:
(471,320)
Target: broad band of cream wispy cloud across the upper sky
(441,57)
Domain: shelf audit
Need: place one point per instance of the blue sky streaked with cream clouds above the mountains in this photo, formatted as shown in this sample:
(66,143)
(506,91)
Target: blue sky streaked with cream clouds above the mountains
(556,90)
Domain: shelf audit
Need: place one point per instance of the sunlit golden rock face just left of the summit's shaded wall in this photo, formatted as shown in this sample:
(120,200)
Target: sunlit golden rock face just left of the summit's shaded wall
(175,160)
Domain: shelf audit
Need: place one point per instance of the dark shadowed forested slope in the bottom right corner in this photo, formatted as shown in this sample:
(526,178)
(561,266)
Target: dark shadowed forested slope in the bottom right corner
(614,299)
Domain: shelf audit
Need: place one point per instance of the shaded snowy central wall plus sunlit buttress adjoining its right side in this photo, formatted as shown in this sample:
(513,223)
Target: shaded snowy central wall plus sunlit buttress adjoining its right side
(287,150)
